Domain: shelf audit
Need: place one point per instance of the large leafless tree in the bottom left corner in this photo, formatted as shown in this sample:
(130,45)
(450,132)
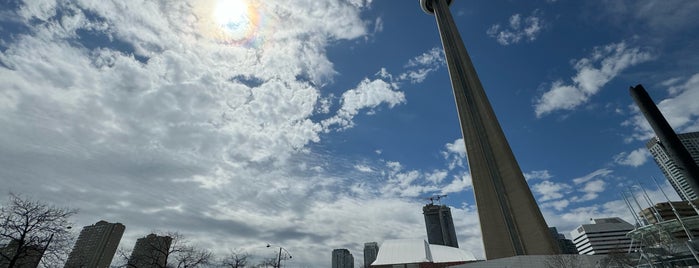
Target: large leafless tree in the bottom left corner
(31,231)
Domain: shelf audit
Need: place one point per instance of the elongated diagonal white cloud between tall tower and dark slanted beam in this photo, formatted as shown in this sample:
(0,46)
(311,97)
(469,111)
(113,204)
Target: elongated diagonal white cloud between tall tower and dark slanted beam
(593,73)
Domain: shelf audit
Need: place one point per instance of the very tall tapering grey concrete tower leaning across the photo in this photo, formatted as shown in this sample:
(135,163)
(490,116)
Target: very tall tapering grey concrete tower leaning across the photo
(510,219)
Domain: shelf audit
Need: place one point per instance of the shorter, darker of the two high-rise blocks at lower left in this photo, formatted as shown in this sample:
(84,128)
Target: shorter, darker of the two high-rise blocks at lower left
(150,252)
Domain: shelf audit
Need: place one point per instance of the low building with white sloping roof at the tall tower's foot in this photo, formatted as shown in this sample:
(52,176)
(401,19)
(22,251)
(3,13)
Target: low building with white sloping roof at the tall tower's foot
(416,253)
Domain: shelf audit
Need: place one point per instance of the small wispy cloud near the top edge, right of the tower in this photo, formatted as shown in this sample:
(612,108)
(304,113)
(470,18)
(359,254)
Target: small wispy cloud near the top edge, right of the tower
(518,29)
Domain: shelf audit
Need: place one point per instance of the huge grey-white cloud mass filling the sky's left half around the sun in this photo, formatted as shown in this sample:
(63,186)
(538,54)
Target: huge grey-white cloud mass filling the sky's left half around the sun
(153,117)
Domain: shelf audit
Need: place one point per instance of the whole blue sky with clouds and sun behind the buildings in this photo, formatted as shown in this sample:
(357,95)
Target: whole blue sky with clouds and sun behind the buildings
(322,124)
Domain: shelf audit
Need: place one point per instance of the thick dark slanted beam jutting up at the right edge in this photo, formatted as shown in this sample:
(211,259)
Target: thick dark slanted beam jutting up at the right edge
(686,167)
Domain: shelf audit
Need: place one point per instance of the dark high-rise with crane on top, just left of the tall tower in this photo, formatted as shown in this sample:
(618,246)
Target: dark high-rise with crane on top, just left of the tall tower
(439,225)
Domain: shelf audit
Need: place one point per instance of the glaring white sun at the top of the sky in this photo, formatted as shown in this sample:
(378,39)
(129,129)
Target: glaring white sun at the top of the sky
(233,17)
